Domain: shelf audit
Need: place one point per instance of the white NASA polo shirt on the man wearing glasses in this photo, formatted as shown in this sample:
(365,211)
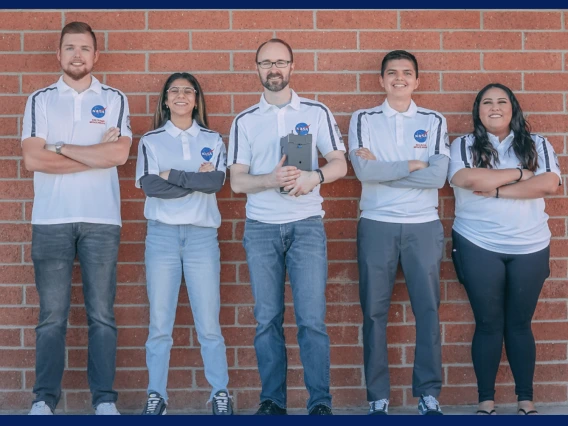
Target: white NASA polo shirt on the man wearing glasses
(255,142)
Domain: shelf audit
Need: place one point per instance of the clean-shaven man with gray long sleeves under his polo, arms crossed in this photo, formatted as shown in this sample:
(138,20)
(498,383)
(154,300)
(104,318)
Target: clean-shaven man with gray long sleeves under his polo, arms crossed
(400,153)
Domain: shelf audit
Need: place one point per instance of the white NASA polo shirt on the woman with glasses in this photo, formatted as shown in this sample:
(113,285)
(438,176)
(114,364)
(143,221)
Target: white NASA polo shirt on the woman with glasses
(169,148)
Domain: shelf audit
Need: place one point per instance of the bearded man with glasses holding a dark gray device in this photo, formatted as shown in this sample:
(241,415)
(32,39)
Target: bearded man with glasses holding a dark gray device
(284,232)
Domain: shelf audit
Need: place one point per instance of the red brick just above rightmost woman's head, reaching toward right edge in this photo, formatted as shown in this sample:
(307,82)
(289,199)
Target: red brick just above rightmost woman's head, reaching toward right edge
(544,61)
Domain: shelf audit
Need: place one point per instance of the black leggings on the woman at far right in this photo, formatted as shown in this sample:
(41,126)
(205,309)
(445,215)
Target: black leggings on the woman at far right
(503,290)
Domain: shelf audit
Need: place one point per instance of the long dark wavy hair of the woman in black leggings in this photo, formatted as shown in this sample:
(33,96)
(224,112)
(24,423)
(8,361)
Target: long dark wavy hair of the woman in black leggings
(482,150)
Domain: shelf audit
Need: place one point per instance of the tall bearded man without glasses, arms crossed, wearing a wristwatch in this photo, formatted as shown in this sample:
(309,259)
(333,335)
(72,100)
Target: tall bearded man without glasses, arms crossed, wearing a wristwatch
(75,133)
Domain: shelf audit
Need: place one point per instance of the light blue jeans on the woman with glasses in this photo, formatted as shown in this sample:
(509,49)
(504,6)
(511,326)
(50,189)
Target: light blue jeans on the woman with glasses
(193,250)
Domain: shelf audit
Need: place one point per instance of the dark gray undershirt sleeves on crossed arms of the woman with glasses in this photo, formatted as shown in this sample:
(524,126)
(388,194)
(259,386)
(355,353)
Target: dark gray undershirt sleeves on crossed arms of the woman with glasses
(180,184)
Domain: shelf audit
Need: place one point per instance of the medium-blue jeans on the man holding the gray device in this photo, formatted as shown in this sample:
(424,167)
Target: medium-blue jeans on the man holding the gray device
(300,248)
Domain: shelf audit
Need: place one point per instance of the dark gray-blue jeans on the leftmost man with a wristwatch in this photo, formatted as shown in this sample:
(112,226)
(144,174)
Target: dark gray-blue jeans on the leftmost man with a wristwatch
(53,252)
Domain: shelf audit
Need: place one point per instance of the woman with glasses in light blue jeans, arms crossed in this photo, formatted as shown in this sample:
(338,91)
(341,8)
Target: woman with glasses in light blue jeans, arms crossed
(181,165)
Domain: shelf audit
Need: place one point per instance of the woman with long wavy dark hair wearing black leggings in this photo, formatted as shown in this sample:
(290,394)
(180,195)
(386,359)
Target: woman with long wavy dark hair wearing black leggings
(501,240)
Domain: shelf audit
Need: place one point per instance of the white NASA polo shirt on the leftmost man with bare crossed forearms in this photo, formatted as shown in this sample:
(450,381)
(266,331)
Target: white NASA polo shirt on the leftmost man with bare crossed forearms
(58,113)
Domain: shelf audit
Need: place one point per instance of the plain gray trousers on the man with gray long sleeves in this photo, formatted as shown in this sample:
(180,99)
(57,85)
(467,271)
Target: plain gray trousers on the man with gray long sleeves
(419,248)
